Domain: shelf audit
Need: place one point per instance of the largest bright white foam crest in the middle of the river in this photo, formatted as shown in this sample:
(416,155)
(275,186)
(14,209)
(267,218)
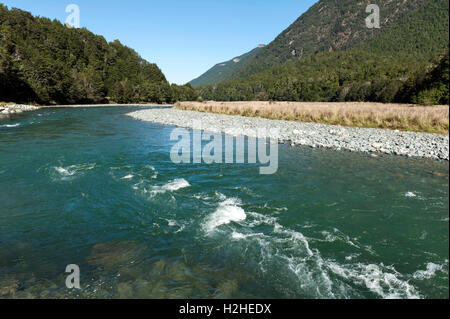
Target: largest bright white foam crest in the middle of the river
(227,212)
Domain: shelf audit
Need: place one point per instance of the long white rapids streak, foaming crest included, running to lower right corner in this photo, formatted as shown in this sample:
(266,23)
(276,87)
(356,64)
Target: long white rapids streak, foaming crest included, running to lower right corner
(313,274)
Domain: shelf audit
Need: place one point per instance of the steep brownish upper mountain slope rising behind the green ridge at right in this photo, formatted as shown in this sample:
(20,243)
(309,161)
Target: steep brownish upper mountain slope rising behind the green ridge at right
(329,25)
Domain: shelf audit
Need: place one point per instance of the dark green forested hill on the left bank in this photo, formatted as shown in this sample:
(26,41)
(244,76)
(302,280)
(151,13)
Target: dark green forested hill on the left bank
(43,61)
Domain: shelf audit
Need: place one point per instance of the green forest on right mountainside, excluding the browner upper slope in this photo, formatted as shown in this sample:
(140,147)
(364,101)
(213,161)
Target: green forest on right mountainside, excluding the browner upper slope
(406,62)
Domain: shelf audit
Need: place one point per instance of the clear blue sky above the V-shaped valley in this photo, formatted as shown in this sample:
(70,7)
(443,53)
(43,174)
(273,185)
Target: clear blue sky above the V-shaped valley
(184,37)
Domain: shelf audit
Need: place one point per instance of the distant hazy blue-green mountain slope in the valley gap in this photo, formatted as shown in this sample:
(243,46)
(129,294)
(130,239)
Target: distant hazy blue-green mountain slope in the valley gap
(222,71)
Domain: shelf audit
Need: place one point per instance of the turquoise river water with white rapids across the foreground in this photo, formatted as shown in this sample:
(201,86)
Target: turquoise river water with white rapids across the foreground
(96,188)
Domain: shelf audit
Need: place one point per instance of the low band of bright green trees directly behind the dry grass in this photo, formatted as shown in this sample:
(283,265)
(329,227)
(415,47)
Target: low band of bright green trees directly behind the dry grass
(355,75)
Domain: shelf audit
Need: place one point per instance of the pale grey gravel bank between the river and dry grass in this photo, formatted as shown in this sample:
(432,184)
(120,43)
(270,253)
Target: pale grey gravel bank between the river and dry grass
(368,140)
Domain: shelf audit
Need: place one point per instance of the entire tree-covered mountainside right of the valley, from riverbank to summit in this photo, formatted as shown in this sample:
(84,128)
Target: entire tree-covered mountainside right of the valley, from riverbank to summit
(406,62)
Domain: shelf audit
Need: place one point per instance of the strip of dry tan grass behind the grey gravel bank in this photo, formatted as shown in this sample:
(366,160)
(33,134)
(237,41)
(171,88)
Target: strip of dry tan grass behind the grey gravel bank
(405,117)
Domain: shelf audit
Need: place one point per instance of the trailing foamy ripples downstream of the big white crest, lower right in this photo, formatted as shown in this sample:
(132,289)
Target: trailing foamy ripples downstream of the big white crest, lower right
(314,272)
